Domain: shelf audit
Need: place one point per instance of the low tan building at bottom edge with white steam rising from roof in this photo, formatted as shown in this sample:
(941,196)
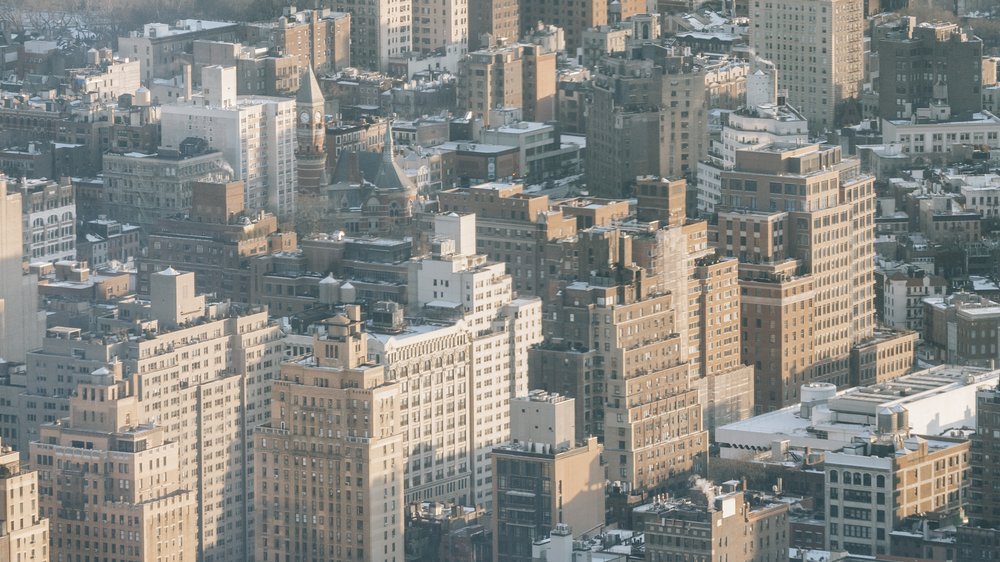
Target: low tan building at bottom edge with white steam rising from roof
(716,525)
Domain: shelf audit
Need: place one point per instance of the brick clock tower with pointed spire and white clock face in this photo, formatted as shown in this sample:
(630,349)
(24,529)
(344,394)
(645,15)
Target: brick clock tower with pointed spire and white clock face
(310,133)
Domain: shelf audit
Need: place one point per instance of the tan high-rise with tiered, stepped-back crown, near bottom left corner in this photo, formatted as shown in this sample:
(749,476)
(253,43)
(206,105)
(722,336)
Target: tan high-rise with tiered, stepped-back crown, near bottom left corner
(110,481)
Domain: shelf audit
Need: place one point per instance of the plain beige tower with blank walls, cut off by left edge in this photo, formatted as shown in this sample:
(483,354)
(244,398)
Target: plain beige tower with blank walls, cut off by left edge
(21,323)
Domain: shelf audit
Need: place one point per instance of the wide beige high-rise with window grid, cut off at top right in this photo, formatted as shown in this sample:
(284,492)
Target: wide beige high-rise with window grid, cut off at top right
(818,49)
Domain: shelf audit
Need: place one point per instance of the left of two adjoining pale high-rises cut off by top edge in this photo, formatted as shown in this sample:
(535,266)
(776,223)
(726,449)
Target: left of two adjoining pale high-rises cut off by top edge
(380,29)
